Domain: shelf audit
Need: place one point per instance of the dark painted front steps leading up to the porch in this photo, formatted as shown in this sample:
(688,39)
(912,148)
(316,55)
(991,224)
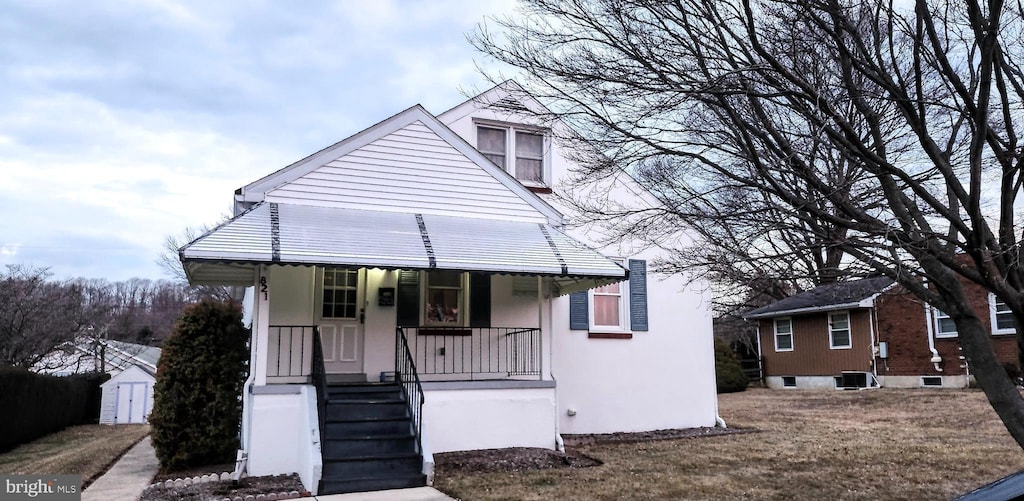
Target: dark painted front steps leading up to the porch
(369,440)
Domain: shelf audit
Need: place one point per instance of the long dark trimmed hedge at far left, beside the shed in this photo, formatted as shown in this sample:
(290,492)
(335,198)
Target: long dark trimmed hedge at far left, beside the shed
(34,405)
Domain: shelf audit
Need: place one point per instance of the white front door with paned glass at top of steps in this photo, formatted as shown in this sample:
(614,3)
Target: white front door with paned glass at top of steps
(342,317)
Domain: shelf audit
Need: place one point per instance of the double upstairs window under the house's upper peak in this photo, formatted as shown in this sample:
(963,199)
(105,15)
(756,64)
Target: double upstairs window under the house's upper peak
(520,151)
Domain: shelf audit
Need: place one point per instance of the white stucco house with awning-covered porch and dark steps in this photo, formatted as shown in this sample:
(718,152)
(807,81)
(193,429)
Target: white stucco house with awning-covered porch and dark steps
(416,288)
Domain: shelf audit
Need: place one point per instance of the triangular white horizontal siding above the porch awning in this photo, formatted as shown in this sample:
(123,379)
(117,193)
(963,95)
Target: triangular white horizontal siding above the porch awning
(410,171)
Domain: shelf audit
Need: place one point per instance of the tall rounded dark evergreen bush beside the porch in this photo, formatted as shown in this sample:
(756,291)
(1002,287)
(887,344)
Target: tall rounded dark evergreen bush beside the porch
(198,397)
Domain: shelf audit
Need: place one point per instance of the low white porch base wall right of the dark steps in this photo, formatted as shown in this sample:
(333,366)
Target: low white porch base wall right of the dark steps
(468,420)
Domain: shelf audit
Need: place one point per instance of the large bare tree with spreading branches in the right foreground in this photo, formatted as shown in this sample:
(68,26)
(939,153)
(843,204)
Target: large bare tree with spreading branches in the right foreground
(745,109)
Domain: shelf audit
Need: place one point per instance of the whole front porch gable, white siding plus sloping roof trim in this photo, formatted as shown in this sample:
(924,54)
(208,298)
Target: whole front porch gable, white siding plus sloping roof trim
(410,163)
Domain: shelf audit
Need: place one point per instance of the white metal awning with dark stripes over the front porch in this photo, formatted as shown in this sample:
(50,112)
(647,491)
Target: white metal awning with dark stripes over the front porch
(298,235)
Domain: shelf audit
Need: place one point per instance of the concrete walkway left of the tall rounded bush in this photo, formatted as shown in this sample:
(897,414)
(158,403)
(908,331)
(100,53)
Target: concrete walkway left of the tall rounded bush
(130,477)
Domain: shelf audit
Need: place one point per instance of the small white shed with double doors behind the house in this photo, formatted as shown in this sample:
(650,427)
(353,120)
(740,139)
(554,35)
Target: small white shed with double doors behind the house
(127,397)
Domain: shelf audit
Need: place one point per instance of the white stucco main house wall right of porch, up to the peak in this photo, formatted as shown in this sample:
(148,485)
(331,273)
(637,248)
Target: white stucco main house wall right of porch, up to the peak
(661,379)
